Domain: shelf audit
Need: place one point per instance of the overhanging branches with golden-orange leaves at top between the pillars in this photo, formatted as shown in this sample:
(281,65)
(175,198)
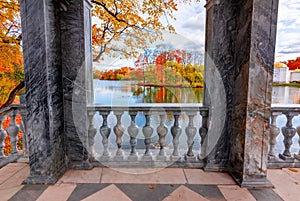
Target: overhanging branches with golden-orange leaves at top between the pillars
(134,24)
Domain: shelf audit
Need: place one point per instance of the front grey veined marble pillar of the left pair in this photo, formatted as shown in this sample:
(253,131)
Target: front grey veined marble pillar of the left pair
(44,99)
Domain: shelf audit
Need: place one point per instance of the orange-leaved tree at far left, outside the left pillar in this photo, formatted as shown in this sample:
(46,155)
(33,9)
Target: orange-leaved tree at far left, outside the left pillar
(11,63)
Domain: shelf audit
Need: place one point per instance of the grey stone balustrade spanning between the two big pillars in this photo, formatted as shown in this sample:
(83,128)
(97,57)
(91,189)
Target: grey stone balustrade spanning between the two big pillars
(153,136)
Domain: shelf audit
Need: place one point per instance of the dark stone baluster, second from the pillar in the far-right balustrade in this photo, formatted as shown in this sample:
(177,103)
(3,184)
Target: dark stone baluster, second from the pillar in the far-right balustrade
(288,133)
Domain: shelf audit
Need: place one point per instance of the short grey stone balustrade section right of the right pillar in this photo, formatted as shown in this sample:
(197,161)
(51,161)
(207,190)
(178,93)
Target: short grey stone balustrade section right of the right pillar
(282,145)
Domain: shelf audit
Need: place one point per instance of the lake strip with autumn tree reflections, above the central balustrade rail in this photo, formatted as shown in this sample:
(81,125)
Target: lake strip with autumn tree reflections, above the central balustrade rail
(128,92)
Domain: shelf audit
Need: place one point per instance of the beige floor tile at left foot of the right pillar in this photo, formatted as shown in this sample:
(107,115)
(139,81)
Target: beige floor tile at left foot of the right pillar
(198,176)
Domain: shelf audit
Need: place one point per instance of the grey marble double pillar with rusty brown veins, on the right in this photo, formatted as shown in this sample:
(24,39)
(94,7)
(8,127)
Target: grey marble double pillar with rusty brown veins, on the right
(241,46)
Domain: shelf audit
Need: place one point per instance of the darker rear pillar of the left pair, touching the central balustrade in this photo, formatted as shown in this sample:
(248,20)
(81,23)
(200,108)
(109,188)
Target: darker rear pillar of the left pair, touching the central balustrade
(76,48)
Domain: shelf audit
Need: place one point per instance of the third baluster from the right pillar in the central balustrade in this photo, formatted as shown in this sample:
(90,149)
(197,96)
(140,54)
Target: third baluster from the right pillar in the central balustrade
(176,132)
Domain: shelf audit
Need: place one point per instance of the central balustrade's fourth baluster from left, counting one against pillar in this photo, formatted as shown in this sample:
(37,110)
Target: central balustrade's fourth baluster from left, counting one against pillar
(133,132)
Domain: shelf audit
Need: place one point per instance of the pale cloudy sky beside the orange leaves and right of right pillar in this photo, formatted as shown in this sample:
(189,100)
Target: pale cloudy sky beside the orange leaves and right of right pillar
(190,28)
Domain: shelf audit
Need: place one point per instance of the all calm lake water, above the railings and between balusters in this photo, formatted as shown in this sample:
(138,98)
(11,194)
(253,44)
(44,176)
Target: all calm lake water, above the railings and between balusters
(128,93)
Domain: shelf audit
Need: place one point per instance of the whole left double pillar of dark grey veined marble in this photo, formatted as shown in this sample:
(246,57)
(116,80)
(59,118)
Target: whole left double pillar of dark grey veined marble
(56,47)
